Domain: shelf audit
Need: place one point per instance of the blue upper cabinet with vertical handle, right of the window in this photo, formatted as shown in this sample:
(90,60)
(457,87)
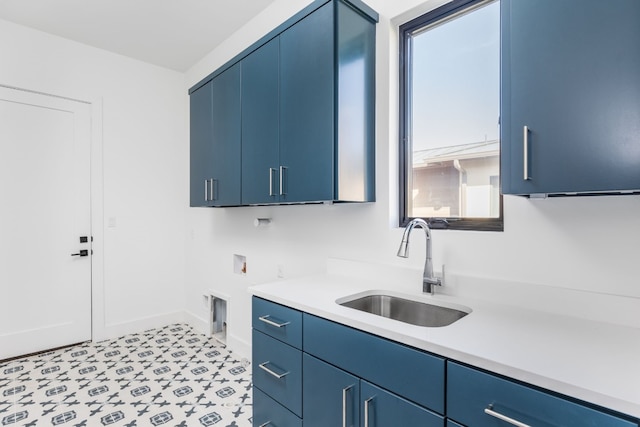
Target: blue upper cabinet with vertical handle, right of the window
(570,96)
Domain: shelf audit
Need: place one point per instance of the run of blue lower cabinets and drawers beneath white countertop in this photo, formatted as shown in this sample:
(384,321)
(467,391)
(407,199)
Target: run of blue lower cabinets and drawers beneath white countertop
(346,377)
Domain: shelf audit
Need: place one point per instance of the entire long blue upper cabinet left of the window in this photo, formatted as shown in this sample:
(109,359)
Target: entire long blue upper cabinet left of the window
(305,114)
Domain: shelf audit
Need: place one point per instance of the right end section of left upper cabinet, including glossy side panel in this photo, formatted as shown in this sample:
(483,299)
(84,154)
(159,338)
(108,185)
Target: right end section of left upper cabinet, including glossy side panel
(327,102)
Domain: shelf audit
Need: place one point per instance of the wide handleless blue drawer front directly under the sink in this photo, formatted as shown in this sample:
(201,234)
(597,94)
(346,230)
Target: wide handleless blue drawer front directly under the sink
(412,374)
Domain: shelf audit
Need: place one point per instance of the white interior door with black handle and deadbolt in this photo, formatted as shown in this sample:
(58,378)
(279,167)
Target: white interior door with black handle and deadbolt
(45,291)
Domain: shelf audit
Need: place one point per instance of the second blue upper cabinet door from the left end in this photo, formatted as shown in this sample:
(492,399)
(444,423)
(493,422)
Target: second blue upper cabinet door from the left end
(225,117)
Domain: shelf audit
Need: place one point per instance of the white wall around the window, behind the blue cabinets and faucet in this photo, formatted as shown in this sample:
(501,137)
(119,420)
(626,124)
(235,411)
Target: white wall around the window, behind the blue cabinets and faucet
(585,243)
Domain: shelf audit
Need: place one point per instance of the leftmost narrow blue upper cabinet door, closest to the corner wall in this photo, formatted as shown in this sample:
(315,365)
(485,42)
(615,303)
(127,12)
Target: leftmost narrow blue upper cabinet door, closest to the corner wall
(201,131)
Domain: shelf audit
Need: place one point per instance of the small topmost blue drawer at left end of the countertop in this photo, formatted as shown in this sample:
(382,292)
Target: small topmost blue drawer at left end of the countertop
(278,321)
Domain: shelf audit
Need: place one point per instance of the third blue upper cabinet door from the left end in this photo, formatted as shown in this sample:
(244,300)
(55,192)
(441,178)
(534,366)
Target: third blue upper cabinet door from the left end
(260,127)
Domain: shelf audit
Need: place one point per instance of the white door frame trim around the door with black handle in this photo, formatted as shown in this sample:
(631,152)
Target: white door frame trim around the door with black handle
(98,326)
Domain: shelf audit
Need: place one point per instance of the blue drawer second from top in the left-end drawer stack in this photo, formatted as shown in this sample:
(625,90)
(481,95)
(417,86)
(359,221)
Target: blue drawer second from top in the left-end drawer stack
(277,371)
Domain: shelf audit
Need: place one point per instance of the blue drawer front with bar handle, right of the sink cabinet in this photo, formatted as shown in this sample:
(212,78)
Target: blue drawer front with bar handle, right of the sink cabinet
(470,392)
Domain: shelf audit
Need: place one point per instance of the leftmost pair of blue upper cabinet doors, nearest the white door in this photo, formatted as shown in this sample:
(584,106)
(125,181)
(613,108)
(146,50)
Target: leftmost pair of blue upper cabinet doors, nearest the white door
(215,141)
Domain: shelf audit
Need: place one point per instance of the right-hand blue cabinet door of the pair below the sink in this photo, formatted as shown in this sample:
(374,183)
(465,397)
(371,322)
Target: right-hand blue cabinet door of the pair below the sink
(383,409)
